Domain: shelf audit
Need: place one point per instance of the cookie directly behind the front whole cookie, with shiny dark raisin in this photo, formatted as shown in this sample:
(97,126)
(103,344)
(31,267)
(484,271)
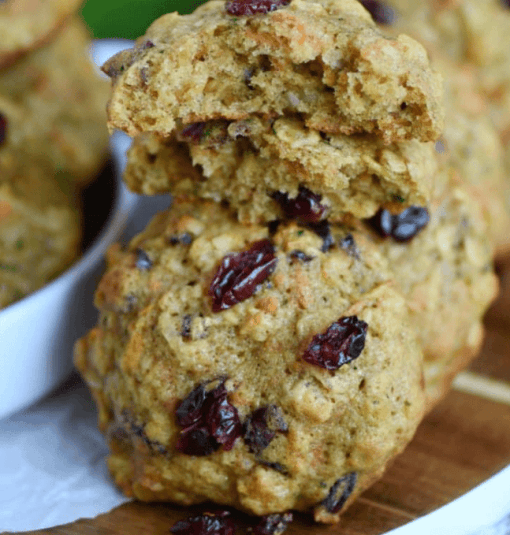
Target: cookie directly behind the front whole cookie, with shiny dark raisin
(445,272)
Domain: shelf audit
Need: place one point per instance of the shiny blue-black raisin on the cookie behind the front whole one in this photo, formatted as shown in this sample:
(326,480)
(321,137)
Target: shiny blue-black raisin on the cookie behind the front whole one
(401,227)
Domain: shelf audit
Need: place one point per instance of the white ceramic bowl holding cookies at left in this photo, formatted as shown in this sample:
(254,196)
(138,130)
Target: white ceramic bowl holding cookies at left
(37,333)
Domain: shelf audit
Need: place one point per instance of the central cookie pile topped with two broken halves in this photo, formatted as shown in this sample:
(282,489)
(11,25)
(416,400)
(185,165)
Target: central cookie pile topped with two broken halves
(272,341)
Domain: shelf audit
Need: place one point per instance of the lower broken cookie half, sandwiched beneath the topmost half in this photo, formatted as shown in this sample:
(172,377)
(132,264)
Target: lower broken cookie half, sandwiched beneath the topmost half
(261,166)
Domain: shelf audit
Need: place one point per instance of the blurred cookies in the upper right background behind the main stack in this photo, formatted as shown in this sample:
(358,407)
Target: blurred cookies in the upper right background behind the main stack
(470,43)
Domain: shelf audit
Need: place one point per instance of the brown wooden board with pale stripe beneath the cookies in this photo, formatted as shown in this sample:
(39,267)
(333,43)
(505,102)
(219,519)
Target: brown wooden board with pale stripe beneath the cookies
(464,441)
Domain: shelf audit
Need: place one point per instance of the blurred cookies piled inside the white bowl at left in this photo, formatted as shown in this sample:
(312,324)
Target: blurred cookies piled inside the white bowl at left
(52,140)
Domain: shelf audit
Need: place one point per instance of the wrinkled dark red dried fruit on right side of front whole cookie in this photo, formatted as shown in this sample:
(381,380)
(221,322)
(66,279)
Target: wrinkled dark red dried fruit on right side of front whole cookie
(342,342)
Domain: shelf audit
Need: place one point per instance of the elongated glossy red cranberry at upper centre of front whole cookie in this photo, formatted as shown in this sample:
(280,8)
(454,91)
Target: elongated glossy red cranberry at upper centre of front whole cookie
(240,274)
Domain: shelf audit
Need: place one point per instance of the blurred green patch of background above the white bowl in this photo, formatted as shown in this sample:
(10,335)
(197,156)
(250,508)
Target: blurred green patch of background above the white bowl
(129,18)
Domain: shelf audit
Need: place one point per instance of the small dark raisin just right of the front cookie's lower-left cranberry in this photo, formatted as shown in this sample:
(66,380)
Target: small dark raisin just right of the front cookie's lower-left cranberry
(261,427)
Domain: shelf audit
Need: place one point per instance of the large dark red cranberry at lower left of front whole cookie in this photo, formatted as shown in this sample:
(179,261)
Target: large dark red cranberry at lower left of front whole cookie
(208,421)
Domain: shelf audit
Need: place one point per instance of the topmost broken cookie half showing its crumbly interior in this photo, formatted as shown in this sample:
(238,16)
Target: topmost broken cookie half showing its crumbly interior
(323,59)
